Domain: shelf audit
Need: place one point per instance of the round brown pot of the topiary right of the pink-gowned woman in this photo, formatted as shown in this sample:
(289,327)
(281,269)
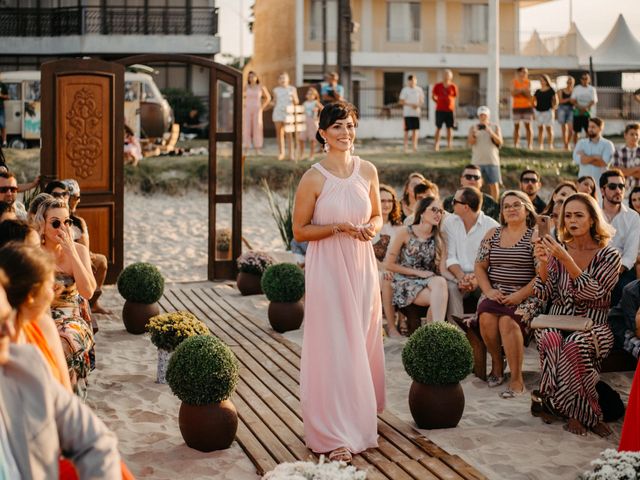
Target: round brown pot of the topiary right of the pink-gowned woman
(436,406)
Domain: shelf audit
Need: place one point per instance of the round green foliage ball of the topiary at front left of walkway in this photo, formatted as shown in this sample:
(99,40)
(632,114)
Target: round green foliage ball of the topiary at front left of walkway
(203,370)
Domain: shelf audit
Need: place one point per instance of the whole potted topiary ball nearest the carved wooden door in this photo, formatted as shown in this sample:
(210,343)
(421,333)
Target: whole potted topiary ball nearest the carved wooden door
(141,285)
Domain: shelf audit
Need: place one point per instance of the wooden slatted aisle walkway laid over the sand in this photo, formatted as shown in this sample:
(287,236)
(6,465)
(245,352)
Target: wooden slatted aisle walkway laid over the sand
(267,398)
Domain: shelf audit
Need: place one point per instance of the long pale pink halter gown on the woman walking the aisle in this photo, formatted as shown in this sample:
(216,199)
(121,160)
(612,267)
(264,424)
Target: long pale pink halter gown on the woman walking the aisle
(342,385)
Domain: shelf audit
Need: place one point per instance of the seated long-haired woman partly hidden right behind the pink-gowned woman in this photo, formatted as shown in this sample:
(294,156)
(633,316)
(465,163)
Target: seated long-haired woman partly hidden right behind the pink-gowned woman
(391,215)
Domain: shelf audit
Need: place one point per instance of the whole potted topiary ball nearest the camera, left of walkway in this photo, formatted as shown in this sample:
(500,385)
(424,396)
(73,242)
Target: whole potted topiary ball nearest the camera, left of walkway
(203,373)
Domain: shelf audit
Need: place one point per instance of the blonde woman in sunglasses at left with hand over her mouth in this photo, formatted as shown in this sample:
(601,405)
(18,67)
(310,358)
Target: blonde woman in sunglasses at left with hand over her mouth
(73,279)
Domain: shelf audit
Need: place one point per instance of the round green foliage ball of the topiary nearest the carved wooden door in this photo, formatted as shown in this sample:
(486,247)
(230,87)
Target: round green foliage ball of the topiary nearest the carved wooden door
(141,283)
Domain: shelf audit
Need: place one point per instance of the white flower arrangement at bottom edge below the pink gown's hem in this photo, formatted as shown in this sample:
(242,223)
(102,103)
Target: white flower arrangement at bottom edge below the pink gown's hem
(315,471)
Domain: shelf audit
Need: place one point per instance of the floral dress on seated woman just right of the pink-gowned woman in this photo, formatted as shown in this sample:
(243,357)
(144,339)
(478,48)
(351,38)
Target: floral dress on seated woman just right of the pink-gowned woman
(420,255)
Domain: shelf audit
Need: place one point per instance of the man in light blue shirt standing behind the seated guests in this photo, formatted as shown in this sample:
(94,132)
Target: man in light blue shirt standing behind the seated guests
(593,154)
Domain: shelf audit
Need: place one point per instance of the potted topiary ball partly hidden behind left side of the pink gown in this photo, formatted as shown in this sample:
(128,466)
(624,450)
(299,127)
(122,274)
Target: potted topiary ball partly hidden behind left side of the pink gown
(283,284)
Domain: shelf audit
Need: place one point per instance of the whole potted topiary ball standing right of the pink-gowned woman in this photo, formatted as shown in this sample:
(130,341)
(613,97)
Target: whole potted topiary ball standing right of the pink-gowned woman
(437,357)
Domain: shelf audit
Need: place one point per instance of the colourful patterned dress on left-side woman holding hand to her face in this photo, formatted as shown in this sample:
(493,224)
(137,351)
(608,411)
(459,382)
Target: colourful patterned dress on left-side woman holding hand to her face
(69,312)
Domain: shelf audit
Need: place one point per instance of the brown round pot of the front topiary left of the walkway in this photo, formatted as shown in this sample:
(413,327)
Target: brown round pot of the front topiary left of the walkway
(208,427)
